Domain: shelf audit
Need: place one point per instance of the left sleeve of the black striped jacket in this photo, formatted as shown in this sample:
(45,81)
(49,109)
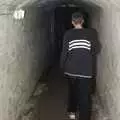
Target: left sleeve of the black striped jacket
(64,51)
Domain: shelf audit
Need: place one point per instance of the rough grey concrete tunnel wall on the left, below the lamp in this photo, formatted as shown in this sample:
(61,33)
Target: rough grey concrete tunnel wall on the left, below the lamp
(23,57)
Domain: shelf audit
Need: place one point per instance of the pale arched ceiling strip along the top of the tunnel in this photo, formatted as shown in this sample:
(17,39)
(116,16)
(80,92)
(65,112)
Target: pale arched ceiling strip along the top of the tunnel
(10,5)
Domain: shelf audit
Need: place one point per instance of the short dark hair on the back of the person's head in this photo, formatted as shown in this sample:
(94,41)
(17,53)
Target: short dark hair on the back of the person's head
(77,17)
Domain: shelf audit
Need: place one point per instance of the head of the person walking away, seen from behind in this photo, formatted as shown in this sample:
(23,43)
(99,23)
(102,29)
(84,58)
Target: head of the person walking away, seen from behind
(77,19)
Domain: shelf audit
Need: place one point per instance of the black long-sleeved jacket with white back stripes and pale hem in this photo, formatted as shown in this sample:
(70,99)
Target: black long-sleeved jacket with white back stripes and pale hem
(79,45)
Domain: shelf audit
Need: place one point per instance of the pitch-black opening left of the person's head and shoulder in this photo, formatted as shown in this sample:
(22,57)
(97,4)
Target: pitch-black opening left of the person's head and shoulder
(62,24)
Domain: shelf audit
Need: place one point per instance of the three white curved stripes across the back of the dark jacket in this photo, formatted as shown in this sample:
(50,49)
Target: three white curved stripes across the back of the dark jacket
(85,44)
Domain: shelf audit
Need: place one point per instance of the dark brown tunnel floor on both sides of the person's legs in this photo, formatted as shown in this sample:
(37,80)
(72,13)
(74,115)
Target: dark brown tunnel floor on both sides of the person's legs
(51,104)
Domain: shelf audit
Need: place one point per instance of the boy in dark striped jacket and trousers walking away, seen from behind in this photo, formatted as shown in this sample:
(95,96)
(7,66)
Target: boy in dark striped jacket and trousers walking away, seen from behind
(78,49)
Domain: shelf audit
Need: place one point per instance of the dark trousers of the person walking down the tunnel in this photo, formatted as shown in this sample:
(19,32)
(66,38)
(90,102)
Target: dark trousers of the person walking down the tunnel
(79,97)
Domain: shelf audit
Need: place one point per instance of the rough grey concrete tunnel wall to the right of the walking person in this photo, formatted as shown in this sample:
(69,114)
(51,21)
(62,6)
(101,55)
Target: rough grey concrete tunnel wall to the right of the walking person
(106,20)
